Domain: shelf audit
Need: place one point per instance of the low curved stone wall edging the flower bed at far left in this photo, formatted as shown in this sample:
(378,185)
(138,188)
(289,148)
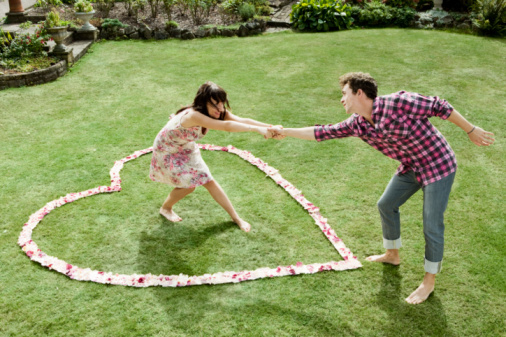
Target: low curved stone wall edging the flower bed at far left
(34,77)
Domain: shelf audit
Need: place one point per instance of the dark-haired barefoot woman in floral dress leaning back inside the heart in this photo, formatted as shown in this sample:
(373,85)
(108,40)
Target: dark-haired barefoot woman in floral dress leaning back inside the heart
(176,157)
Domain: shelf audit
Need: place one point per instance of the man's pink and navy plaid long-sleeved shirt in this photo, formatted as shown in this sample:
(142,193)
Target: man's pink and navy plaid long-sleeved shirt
(402,131)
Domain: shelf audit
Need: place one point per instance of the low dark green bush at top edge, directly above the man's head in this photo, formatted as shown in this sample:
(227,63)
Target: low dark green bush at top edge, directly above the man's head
(377,14)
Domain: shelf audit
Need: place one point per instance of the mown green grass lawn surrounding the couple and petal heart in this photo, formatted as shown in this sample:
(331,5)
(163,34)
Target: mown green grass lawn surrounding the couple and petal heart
(64,137)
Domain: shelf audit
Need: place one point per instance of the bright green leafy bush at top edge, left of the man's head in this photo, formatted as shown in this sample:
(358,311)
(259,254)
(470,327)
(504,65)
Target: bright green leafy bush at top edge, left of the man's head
(320,15)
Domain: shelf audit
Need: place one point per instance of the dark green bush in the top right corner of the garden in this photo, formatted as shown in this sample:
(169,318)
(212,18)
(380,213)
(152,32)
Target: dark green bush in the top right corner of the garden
(491,18)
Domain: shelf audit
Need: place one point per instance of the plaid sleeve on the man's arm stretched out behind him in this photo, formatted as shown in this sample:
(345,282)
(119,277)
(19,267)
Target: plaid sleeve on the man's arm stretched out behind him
(418,106)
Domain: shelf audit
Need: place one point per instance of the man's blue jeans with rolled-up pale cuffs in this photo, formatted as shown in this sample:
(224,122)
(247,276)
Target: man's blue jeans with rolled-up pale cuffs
(435,200)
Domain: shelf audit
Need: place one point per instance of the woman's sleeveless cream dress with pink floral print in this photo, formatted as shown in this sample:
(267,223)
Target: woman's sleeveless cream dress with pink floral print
(176,157)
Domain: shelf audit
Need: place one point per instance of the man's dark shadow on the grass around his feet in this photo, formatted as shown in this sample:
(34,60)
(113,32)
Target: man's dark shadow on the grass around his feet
(426,319)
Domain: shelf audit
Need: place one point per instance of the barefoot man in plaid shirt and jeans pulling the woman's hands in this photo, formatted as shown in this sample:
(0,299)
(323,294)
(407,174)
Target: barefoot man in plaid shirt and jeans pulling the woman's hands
(398,126)
